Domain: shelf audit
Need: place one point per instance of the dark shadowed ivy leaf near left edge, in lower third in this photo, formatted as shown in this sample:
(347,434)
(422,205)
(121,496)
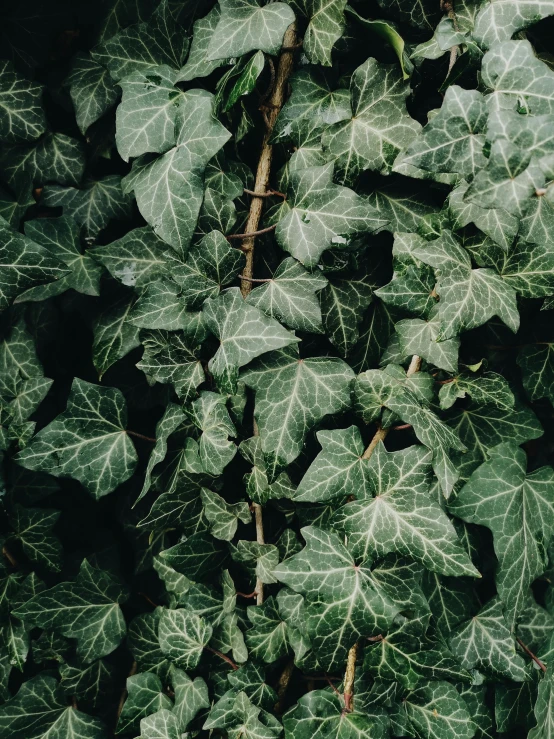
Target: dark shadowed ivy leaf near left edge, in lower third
(33,528)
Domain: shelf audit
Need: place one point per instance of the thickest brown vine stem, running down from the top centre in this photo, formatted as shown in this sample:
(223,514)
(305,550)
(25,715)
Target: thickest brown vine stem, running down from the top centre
(274,105)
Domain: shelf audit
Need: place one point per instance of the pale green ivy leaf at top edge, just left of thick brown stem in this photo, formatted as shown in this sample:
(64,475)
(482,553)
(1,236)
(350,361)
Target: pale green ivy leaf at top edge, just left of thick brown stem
(245,26)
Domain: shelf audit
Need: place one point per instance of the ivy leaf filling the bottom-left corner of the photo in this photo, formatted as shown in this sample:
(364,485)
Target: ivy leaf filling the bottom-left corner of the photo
(39,709)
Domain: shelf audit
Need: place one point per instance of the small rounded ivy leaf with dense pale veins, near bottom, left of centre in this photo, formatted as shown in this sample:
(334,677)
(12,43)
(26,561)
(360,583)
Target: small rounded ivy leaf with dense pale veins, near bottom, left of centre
(183,637)
